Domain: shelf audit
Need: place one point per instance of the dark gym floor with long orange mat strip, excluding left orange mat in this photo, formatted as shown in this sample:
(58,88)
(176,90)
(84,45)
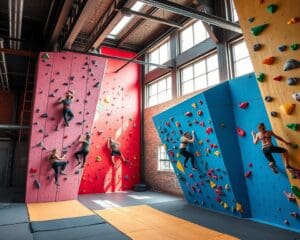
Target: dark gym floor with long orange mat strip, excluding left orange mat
(15,223)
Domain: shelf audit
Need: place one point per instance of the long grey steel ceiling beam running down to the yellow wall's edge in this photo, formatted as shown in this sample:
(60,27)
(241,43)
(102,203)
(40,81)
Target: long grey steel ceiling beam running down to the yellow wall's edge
(192,13)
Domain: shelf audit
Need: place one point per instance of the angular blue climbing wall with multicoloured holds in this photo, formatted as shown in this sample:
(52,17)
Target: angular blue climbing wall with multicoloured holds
(224,157)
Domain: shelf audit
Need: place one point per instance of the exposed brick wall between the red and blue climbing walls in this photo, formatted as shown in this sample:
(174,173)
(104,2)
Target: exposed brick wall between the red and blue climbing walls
(162,181)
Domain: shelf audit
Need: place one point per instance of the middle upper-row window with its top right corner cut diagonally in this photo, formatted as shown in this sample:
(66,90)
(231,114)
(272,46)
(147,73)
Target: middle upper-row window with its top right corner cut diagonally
(192,35)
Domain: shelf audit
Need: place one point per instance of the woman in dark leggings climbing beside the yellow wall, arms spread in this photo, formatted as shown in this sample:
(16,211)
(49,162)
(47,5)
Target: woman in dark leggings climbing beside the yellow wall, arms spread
(268,148)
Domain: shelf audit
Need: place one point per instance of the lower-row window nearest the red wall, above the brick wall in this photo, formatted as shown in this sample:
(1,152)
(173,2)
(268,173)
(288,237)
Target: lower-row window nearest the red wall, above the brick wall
(159,91)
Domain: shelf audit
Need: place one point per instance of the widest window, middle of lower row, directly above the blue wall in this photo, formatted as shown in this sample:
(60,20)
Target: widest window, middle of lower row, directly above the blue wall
(200,74)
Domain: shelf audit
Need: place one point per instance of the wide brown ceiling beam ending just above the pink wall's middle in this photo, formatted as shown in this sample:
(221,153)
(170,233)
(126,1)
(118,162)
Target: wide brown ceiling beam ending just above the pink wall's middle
(75,23)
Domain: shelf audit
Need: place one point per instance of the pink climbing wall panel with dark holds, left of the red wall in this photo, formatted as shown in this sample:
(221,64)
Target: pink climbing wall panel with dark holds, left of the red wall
(56,74)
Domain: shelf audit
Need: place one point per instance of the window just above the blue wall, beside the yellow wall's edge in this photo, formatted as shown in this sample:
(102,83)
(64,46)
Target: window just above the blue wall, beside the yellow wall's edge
(241,60)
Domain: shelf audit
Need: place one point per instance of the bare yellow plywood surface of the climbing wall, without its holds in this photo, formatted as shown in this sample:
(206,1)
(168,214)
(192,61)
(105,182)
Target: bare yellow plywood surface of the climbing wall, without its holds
(278,32)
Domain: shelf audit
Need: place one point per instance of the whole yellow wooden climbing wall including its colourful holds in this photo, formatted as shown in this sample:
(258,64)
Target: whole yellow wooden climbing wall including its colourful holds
(271,30)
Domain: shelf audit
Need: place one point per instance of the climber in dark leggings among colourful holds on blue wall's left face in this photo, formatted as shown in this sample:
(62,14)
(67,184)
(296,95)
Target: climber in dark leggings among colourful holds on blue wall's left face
(184,141)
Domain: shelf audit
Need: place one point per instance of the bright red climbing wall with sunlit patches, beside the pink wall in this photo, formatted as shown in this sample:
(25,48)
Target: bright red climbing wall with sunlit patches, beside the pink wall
(118,115)
